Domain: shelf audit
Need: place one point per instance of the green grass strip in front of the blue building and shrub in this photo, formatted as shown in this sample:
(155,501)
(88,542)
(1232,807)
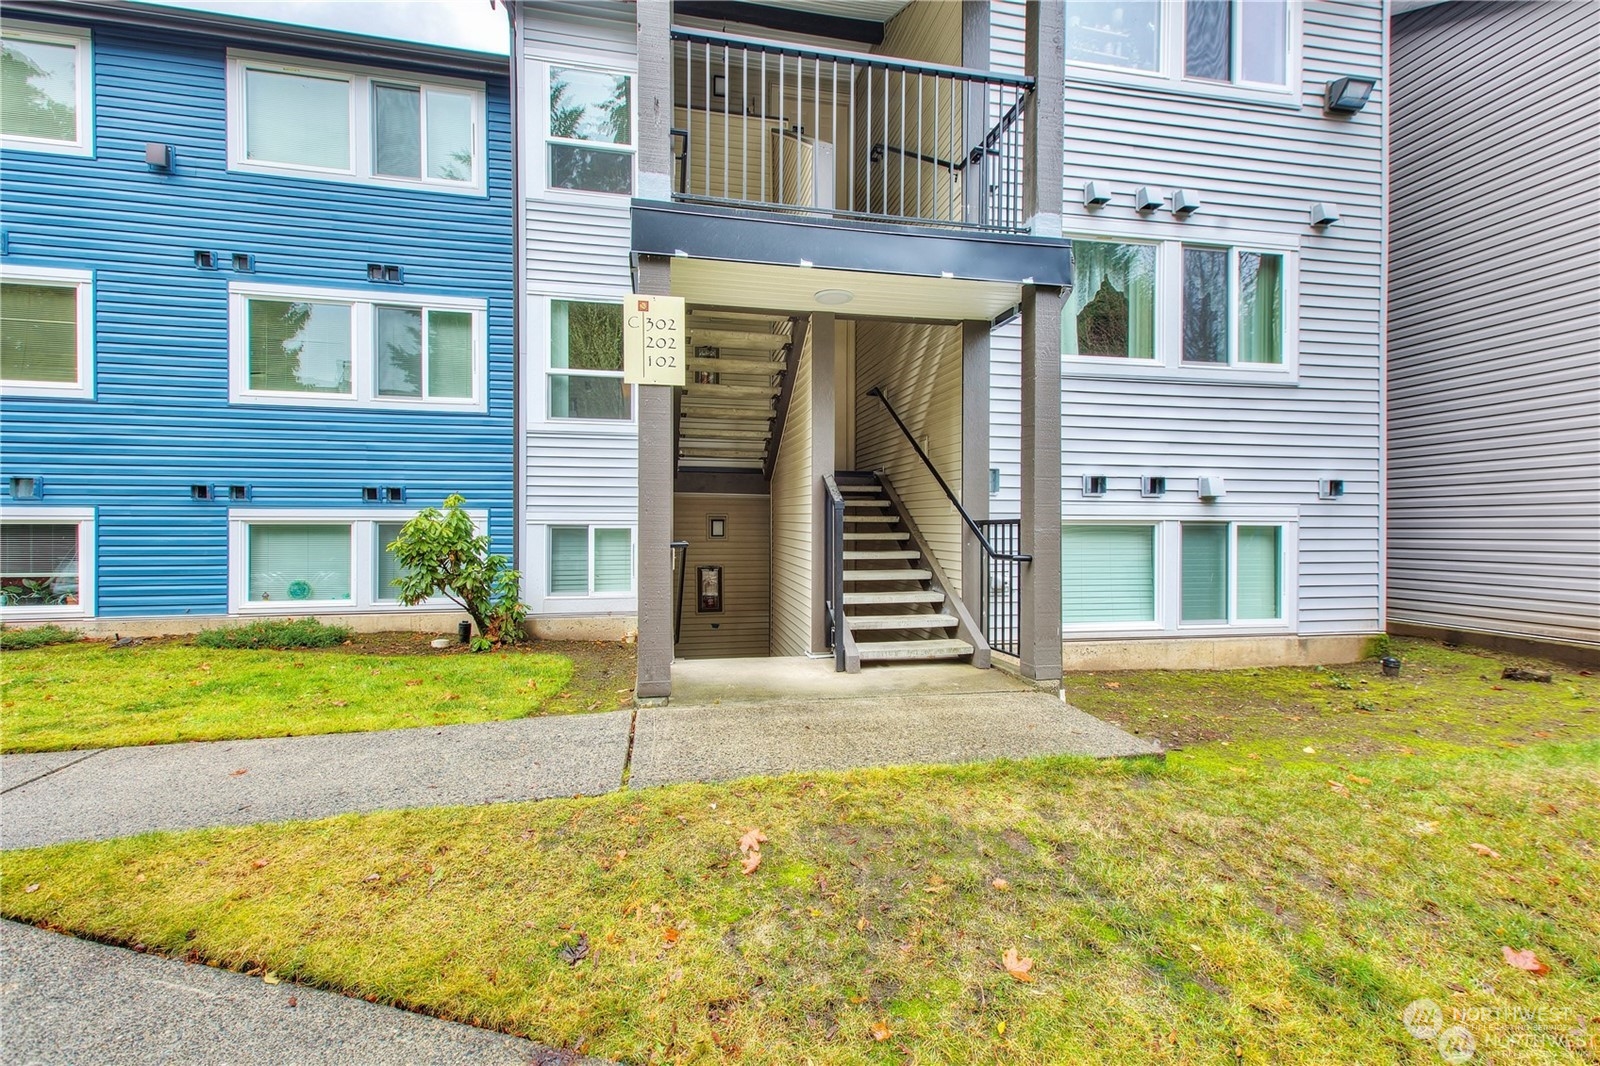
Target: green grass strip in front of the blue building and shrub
(92,695)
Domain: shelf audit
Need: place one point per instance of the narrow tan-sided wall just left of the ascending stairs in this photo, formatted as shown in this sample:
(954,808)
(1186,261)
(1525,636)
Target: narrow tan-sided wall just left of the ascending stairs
(793,535)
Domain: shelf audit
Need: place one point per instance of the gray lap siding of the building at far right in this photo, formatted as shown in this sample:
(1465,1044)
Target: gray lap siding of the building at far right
(1494,337)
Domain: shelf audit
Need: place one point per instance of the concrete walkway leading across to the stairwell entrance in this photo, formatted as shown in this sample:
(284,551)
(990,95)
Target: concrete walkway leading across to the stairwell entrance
(729,719)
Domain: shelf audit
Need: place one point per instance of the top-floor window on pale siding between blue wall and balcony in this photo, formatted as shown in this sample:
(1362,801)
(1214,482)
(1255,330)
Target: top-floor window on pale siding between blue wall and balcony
(591,130)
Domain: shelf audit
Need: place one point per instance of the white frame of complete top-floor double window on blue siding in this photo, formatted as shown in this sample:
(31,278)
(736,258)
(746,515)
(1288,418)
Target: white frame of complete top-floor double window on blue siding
(361,105)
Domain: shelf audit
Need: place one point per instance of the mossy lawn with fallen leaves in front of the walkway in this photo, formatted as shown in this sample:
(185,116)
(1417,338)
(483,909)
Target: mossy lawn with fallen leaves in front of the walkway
(1246,902)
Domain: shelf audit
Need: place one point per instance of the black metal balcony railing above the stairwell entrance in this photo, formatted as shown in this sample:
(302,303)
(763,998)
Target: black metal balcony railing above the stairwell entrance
(847,135)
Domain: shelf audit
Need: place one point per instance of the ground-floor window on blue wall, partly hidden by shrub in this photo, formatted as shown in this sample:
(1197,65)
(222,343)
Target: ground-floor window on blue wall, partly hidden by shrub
(308,561)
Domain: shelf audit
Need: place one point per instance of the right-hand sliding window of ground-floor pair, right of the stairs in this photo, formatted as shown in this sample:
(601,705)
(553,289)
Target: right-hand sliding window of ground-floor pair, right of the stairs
(1231,572)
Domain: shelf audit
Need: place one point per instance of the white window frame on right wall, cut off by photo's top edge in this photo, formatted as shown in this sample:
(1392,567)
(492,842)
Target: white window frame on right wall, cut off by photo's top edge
(1169,78)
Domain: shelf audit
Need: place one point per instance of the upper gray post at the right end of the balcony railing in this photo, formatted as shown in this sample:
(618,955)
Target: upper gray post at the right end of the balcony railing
(1046,60)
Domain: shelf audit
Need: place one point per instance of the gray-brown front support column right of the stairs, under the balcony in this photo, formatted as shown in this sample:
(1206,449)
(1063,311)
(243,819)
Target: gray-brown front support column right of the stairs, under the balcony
(1041,598)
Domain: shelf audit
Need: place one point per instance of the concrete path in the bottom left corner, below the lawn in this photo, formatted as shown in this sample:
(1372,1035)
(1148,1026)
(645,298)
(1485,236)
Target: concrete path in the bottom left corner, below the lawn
(71,1001)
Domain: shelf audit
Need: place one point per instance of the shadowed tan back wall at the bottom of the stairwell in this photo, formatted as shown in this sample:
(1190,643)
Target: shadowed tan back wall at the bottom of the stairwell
(743,555)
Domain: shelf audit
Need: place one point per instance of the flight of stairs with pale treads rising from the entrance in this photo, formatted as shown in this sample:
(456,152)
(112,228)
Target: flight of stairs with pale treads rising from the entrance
(897,603)
